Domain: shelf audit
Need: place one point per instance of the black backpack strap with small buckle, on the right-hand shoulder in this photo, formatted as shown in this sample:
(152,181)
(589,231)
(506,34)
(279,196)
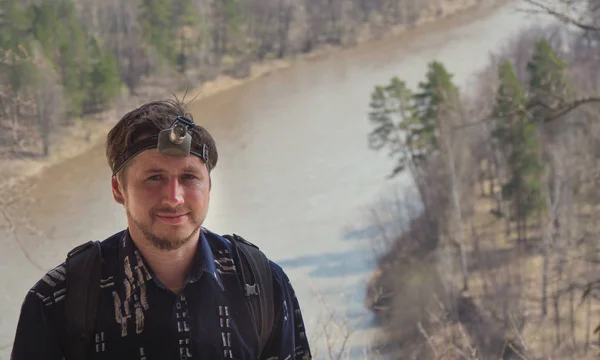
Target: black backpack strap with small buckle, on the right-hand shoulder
(257,280)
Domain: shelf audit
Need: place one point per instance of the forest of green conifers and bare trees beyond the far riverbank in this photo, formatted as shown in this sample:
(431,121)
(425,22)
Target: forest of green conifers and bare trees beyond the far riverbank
(61,59)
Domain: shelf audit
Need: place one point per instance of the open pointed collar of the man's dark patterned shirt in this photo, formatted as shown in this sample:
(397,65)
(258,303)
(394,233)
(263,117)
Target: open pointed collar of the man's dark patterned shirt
(135,272)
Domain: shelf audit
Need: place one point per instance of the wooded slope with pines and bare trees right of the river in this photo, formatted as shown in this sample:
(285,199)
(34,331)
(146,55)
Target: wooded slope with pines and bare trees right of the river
(500,257)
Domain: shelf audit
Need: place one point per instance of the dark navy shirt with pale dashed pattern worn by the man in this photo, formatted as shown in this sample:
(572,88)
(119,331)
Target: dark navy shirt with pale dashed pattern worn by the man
(140,319)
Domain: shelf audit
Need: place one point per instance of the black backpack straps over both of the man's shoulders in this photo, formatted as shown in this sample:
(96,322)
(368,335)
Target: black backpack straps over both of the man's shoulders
(84,270)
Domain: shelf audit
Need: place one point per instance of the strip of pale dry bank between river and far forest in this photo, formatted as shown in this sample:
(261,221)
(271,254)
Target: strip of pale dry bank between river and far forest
(86,133)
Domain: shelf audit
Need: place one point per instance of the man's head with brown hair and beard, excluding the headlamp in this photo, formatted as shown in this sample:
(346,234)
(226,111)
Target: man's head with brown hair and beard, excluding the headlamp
(166,197)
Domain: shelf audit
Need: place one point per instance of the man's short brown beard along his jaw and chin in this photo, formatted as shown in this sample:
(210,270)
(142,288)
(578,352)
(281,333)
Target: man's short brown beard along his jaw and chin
(169,242)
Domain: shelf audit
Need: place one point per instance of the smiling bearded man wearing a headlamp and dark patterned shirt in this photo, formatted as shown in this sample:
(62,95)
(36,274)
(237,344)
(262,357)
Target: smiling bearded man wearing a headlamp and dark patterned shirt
(168,287)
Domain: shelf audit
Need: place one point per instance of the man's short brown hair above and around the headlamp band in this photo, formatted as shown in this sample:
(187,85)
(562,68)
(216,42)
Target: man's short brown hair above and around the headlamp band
(147,121)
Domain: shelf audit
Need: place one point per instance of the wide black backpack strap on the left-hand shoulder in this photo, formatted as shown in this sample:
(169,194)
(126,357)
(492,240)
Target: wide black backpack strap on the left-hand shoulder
(84,270)
